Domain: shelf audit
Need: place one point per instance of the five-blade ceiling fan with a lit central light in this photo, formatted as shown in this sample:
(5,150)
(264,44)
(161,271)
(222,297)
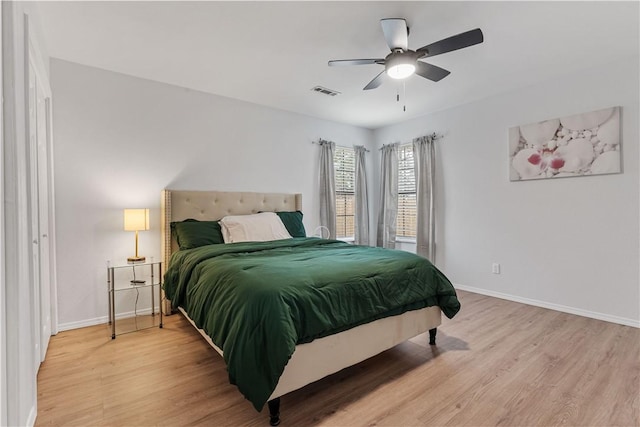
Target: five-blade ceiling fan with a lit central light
(403,62)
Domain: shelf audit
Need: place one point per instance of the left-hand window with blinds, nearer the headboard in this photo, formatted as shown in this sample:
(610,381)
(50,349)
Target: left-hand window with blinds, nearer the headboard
(344,164)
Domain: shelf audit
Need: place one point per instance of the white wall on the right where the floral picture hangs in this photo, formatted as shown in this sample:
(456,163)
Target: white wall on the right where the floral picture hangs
(571,243)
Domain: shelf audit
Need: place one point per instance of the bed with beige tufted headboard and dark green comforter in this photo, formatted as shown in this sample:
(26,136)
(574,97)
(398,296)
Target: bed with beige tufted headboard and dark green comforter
(308,354)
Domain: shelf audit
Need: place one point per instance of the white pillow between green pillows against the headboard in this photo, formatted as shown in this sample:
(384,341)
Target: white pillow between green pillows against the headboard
(260,227)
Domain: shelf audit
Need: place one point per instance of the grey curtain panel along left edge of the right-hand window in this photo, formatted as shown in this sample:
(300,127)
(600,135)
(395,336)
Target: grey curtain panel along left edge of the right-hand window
(386,236)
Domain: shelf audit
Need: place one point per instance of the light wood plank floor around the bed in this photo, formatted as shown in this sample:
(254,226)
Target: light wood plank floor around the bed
(496,363)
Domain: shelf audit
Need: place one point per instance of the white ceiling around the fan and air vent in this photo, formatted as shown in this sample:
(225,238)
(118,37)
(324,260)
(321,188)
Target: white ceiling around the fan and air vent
(273,53)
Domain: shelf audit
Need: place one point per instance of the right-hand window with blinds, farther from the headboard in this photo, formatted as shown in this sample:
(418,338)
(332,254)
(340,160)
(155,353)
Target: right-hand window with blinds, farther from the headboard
(407,212)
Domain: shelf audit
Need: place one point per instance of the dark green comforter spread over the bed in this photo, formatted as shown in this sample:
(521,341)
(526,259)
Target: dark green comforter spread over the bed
(258,300)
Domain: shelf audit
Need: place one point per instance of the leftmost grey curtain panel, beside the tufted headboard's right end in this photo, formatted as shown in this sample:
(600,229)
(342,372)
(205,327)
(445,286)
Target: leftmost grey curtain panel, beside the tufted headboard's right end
(327,188)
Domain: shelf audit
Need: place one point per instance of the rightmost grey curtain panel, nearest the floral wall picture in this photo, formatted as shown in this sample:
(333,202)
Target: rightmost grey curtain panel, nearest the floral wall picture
(424,166)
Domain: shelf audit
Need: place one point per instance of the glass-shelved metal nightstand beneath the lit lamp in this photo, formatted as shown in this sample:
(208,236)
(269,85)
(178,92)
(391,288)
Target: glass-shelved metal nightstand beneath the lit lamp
(134,286)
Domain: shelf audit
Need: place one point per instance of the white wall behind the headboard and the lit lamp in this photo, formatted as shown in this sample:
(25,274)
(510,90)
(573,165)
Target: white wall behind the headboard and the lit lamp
(120,140)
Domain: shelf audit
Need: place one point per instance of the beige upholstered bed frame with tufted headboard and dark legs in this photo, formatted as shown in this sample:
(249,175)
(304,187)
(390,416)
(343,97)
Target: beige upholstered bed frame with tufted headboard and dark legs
(321,357)
